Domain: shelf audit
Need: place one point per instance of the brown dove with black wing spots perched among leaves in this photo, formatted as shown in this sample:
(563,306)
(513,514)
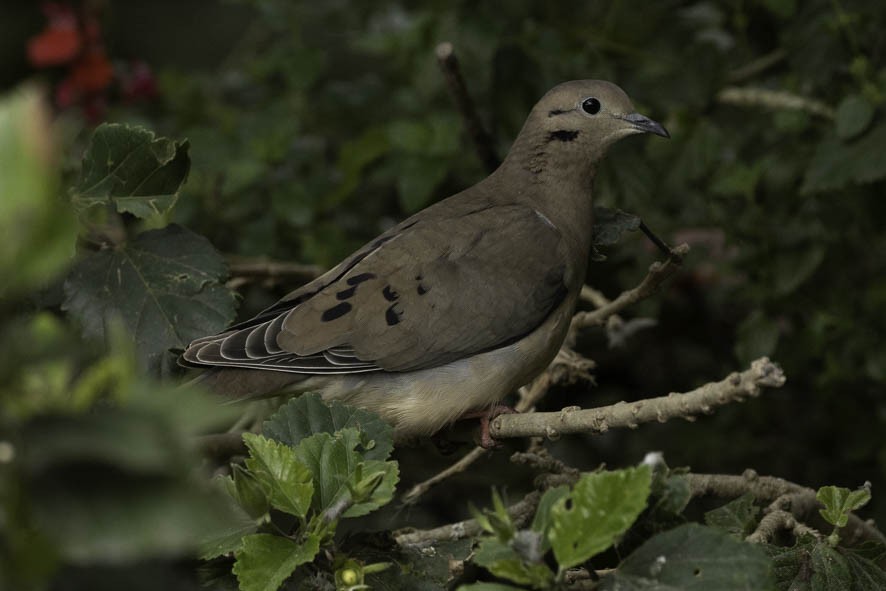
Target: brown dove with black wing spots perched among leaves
(455,307)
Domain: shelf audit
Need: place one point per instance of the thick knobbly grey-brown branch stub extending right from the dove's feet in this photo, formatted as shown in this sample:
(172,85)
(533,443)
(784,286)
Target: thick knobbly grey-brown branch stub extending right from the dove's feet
(762,373)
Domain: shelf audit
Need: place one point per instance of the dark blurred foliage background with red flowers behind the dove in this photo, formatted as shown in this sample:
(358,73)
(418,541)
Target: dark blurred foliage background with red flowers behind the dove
(314,126)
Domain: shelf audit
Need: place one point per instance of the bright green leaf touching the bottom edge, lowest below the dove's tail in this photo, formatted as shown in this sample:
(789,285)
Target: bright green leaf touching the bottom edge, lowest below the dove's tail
(265,561)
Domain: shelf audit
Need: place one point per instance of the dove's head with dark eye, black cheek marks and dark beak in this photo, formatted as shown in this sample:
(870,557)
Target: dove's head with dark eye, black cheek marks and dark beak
(574,124)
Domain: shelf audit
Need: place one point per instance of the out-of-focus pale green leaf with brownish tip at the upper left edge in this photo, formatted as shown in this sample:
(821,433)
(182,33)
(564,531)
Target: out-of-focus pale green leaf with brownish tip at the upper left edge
(38,232)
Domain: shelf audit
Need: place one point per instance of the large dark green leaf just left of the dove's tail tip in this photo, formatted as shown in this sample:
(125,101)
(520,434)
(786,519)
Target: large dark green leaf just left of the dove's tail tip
(164,286)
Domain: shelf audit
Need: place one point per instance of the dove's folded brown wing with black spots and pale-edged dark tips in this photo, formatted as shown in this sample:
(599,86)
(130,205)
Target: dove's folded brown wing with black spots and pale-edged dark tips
(430,291)
